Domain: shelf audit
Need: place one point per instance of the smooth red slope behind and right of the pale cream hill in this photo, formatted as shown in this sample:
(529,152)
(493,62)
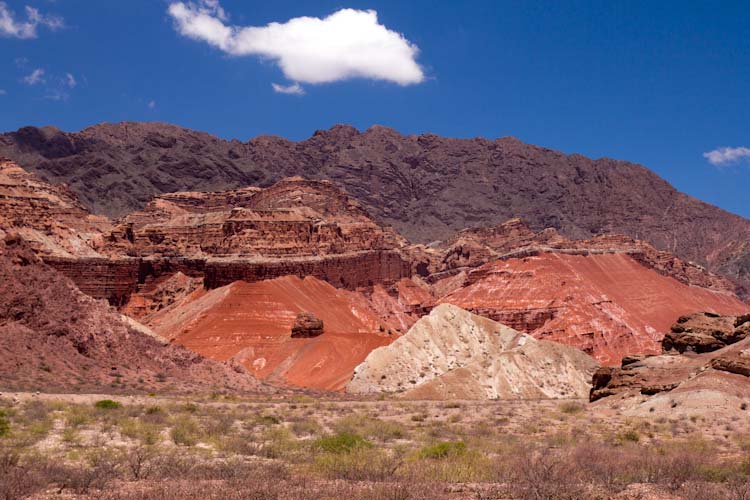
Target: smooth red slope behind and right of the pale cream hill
(607,304)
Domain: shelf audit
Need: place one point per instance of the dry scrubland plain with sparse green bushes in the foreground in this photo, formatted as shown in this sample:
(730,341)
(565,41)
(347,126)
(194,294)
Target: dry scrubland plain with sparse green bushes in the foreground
(219,447)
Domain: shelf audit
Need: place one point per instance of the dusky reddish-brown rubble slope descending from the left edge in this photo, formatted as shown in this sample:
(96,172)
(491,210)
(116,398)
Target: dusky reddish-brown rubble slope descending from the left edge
(54,338)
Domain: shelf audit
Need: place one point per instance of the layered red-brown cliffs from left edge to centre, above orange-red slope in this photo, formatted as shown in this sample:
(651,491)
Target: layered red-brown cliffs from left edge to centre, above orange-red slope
(296,227)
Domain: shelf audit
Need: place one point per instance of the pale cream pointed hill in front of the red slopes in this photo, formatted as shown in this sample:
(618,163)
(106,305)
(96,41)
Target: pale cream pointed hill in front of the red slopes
(452,353)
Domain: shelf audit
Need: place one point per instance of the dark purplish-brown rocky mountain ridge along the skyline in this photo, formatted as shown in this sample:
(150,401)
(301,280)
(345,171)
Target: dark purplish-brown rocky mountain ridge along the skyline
(426,186)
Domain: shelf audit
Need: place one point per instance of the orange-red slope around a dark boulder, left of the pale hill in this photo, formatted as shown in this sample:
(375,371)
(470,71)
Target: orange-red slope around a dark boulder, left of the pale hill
(251,323)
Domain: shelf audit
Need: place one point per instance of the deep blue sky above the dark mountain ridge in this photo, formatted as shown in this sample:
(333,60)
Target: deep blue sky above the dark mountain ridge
(658,83)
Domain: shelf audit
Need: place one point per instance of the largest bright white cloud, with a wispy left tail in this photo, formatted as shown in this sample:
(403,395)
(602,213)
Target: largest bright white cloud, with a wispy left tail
(347,44)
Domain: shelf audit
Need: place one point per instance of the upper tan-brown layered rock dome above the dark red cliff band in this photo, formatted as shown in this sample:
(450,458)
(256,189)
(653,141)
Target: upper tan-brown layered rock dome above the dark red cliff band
(293,218)
